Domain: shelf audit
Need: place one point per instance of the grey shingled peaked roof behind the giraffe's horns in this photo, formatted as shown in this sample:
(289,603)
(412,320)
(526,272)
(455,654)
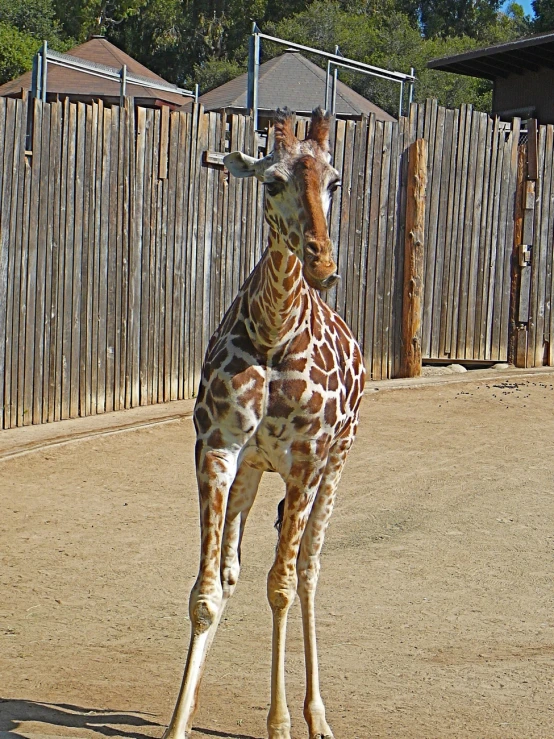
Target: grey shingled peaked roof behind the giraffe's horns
(293,81)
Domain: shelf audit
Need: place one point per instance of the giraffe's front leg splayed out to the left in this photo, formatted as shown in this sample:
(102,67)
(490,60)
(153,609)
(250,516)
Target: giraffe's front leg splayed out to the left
(215,471)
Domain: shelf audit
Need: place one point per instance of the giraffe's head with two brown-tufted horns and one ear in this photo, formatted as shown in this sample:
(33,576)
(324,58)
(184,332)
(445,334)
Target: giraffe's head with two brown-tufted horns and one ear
(299,180)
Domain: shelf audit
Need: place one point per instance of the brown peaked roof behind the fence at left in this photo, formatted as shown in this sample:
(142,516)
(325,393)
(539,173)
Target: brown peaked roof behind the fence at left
(80,85)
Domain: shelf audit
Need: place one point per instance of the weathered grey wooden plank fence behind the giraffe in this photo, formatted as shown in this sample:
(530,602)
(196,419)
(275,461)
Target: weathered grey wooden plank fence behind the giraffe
(122,243)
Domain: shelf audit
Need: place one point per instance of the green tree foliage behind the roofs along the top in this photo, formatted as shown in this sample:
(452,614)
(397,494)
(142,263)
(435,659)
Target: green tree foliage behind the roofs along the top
(205,41)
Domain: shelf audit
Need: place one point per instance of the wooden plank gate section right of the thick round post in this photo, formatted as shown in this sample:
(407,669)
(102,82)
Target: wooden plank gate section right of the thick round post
(469,234)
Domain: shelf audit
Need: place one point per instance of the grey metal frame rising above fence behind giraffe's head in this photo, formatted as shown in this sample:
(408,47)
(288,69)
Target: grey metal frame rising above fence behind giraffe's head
(336,60)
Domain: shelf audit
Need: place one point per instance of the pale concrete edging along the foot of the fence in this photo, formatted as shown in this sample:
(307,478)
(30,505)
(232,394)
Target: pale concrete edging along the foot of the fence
(28,439)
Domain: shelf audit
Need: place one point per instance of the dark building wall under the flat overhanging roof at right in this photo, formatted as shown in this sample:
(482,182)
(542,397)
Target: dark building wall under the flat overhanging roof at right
(528,90)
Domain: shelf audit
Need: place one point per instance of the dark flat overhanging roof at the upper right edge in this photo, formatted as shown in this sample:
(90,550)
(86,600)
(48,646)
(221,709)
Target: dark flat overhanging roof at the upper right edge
(501,60)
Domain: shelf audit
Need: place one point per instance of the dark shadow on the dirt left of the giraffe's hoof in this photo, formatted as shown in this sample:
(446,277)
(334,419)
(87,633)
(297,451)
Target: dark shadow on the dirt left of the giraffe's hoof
(109,723)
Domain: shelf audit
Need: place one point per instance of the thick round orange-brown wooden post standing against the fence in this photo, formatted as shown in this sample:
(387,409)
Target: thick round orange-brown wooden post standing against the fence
(412,307)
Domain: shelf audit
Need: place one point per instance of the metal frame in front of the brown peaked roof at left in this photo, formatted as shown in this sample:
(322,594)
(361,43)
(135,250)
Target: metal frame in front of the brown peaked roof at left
(45,57)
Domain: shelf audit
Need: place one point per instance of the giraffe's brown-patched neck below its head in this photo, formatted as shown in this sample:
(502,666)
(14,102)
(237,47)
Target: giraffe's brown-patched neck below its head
(277,295)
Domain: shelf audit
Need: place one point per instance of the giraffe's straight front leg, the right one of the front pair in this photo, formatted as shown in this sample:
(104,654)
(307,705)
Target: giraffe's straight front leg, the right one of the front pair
(281,588)
